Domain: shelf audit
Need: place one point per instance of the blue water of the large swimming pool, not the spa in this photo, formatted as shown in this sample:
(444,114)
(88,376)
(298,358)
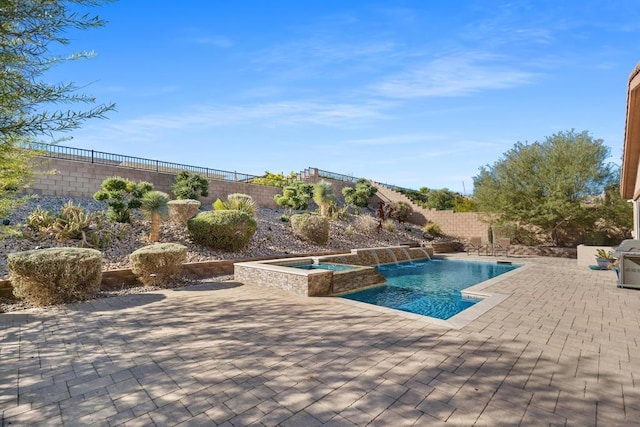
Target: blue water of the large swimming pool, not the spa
(430,288)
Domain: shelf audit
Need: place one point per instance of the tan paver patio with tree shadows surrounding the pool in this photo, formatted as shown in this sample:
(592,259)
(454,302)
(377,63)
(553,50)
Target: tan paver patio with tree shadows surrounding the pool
(562,349)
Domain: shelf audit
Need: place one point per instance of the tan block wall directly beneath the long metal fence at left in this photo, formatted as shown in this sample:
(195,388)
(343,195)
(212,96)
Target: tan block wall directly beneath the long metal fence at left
(82,179)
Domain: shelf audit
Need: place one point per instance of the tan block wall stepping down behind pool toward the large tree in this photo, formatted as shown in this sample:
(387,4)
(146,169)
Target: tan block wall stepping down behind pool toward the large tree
(462,224)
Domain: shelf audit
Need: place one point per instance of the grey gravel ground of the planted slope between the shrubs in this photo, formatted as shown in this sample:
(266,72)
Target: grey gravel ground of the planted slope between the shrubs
(273,237)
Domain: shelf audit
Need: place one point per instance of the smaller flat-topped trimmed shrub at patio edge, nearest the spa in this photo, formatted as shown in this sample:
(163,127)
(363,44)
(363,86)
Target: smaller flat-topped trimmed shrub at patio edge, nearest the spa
(158,265)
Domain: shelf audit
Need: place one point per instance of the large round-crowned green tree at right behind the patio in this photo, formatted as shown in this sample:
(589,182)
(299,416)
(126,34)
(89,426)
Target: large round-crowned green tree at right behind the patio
(545,184)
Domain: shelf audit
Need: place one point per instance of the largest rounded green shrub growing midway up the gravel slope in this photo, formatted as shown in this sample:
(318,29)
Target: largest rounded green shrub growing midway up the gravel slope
(228,230)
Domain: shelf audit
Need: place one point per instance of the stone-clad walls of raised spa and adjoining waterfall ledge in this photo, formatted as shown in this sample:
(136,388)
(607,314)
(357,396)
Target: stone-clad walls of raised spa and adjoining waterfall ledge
(277,274)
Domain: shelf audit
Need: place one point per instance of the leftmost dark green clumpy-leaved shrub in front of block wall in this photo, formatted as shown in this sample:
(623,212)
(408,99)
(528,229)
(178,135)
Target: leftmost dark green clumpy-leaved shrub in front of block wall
(121,196)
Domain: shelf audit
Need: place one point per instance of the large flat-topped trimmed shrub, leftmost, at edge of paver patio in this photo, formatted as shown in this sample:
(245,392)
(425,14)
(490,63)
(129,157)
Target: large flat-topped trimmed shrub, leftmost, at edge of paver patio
(55,275)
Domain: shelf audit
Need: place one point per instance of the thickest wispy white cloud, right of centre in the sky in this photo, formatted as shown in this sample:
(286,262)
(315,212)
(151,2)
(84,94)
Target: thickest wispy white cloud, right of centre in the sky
(454,75)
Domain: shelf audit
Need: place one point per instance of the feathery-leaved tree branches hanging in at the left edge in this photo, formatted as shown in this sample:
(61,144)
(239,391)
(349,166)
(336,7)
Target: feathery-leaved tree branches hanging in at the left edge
(29,30)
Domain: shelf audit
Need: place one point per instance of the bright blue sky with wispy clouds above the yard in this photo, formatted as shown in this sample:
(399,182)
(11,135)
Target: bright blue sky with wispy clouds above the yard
(412,93)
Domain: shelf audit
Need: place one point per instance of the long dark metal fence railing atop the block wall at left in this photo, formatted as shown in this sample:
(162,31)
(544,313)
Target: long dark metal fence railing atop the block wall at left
(100,157)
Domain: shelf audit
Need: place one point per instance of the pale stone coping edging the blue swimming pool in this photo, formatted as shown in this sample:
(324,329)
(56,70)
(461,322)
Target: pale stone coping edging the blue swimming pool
(488,299)
